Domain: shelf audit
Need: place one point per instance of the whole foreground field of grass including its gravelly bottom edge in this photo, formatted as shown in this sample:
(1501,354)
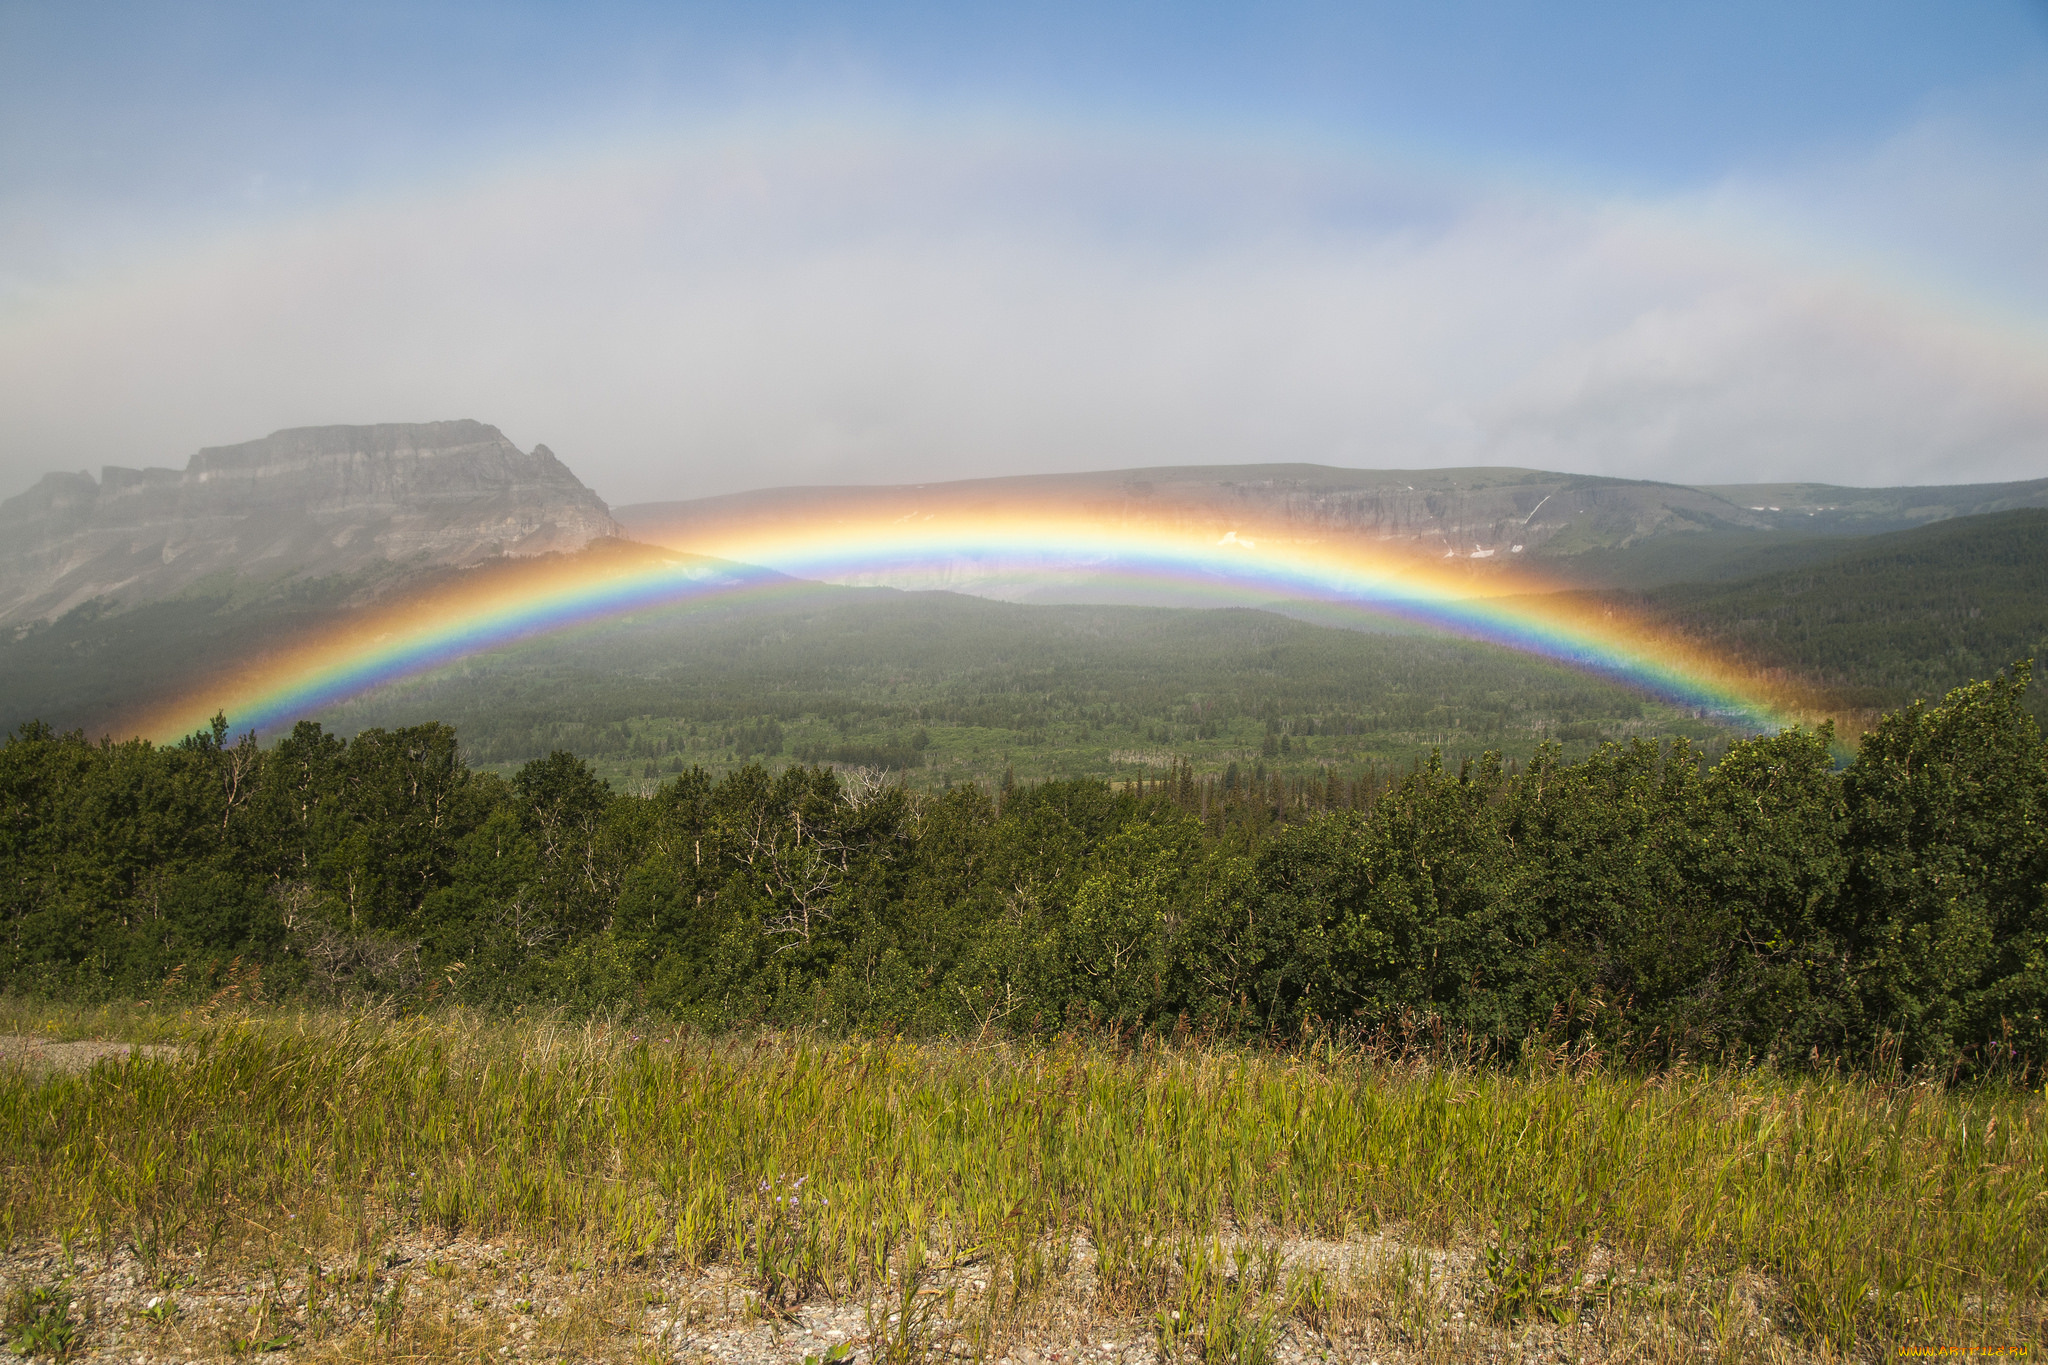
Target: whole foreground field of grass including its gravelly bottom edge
(450,1188)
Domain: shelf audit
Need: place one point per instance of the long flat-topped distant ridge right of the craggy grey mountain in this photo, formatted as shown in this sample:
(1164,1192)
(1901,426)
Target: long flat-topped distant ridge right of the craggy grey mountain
(1576,529)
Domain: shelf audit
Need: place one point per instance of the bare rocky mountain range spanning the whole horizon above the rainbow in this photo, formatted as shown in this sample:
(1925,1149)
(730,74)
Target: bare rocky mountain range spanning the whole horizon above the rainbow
(343,500)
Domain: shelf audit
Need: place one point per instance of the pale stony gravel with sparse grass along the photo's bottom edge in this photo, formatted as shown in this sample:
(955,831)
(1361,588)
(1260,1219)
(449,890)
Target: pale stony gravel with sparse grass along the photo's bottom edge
(490,1303)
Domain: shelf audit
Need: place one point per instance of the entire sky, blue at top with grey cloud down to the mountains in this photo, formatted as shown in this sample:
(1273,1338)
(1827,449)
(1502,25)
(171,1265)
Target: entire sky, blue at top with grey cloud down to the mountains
(699,249)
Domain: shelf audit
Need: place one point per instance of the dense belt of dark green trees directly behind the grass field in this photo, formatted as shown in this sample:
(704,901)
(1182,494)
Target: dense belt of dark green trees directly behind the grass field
(1644,899)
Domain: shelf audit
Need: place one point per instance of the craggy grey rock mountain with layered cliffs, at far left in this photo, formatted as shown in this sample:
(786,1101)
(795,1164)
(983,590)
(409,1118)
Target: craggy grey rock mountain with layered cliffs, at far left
(300,502)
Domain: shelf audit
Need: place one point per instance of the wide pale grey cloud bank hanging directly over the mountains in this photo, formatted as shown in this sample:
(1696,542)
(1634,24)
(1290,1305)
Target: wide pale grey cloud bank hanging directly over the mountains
(904,306)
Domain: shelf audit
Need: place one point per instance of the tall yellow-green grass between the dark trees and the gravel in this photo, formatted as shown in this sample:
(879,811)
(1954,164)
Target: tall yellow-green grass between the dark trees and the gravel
(1877,1215)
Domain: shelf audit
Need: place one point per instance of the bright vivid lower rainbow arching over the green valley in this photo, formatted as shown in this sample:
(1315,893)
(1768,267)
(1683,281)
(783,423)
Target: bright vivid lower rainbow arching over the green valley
(521,601)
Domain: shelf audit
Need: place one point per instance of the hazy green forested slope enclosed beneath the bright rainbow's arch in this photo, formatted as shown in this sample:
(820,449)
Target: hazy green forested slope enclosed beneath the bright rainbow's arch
(951,689)
